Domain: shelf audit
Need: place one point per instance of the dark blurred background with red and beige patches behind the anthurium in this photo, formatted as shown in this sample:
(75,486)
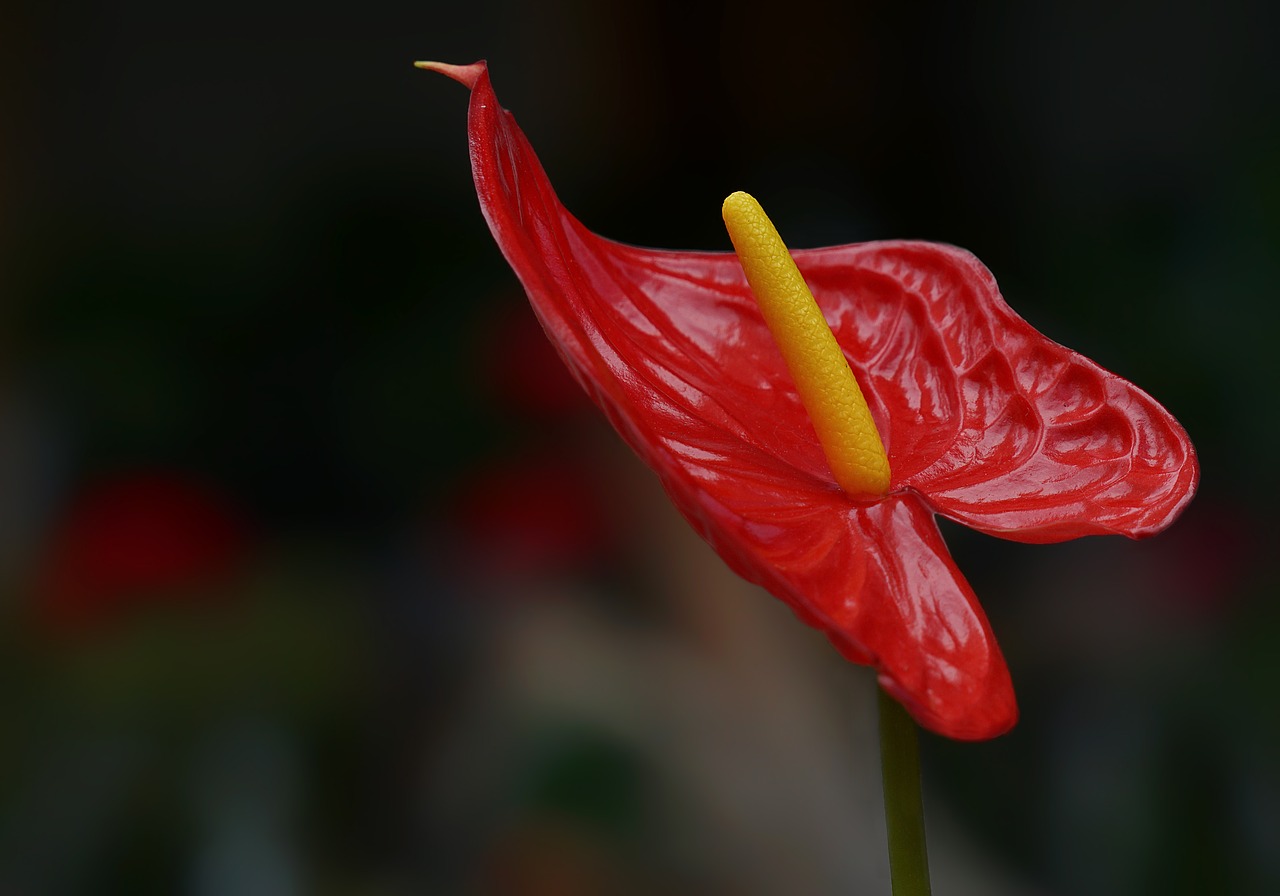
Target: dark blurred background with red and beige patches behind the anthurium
(318,577)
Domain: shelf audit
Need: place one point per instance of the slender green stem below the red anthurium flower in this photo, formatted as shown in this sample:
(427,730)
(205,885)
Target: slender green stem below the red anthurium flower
(904,811)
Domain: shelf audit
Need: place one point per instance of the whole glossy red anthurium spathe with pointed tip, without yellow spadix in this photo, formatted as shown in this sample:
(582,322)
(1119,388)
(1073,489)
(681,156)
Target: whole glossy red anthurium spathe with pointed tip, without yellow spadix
(985,422)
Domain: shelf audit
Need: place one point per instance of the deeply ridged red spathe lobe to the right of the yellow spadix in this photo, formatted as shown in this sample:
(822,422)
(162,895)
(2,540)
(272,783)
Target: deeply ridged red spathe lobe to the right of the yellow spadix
(998,427)
